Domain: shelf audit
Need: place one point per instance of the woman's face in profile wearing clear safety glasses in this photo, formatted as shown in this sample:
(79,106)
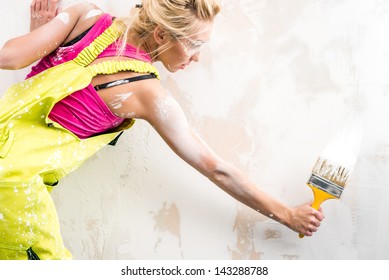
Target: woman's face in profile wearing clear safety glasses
(182,51)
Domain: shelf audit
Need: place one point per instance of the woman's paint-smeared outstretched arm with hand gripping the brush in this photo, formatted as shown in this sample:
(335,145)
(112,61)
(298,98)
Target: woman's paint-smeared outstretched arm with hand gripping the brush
(166,116)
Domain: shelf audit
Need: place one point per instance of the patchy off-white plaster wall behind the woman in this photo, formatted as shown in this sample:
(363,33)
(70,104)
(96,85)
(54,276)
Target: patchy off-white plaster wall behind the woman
(267,94)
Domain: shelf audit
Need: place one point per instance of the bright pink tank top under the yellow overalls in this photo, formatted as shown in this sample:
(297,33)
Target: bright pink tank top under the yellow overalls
(83,112)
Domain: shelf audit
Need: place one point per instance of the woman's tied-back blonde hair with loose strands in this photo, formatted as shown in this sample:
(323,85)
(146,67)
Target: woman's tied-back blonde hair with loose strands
(179,17)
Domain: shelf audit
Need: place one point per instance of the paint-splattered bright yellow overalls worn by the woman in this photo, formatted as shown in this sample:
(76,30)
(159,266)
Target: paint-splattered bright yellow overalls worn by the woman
(36,152)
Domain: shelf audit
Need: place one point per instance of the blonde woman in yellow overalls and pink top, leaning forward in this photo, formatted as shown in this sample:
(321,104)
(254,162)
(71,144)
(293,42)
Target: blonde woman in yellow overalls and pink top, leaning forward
(88,87)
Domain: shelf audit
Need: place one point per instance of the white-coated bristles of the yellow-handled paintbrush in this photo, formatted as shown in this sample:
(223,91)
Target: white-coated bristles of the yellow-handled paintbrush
(331,171)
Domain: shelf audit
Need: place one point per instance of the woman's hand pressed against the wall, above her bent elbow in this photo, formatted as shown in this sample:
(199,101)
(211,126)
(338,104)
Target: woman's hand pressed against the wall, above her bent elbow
(42,11)
